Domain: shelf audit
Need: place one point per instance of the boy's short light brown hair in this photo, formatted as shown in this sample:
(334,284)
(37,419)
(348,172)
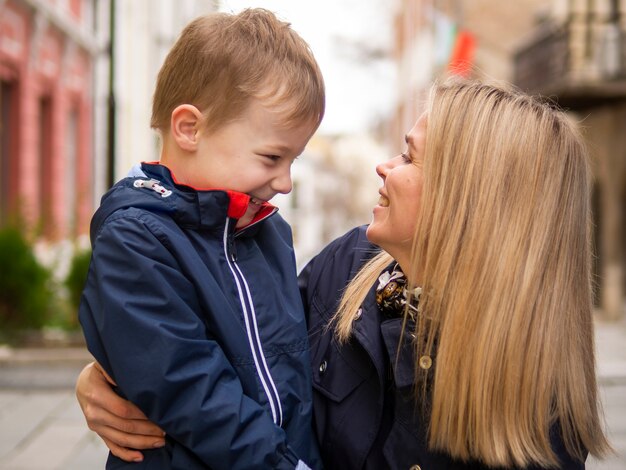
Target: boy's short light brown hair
(221,61)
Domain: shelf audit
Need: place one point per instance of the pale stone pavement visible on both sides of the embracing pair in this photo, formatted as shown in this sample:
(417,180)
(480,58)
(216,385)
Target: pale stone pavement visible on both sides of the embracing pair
(42,427)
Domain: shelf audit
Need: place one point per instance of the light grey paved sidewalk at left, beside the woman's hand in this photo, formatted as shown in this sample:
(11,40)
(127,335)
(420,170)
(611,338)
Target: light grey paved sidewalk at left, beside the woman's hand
(41,425)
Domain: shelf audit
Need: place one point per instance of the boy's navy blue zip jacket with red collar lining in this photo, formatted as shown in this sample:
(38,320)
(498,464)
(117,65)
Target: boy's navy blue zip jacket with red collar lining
(201,326)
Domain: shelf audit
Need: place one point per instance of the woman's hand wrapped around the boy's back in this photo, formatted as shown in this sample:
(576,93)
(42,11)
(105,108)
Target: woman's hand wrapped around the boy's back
(121,425)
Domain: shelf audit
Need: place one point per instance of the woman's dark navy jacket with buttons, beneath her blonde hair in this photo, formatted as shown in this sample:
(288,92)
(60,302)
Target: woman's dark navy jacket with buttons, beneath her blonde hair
(364,413)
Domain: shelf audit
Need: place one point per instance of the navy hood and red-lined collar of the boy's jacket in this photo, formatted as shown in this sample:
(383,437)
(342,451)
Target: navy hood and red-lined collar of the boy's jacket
(153,188)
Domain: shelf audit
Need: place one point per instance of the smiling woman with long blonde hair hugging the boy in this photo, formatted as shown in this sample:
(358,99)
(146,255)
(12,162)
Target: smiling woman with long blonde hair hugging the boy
(467,341)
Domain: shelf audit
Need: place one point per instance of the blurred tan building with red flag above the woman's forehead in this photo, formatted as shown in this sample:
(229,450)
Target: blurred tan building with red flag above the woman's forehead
(433,36)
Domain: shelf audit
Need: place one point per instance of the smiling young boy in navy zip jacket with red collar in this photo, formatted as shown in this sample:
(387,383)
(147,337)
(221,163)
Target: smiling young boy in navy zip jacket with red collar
(191,304)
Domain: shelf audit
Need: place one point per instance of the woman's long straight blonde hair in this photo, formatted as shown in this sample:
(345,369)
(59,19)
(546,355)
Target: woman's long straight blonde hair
(503,246)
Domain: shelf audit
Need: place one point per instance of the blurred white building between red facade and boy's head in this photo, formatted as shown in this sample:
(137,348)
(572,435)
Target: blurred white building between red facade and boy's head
(143,33)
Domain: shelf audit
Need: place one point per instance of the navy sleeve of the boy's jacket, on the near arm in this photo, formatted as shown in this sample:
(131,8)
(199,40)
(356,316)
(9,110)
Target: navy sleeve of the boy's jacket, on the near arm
(142,323)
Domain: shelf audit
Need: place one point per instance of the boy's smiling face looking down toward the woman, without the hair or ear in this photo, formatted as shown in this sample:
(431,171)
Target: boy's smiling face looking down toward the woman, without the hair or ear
(252,155)
